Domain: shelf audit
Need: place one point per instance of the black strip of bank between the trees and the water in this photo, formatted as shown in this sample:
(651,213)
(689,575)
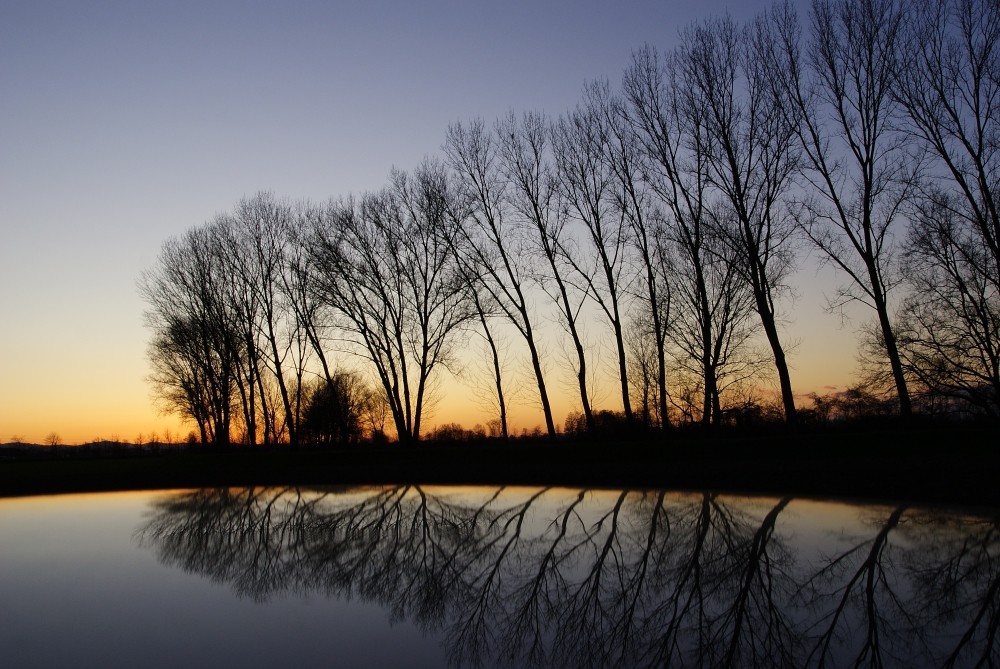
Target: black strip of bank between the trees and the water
(934,465)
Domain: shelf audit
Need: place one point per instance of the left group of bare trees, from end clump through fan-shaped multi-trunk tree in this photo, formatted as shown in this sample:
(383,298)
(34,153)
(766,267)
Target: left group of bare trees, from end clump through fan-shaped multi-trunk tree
(250,311)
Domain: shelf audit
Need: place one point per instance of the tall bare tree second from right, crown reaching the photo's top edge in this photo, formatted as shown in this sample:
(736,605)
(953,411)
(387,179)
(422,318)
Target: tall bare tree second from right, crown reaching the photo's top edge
(838,94)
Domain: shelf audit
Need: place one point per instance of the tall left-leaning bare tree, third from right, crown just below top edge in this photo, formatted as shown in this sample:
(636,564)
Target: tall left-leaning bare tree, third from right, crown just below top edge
(750,158)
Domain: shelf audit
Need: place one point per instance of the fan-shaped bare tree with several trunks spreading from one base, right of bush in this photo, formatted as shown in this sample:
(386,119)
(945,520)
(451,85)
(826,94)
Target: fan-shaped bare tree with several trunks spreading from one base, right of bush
(386,266)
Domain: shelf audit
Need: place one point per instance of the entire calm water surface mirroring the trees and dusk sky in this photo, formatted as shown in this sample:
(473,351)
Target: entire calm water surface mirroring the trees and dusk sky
(426,577)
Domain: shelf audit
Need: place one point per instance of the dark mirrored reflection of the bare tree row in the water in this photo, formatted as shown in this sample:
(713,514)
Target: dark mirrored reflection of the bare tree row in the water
(551,577)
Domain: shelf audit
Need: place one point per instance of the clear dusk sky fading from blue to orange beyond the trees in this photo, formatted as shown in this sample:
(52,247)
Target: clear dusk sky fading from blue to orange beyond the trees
(123,124)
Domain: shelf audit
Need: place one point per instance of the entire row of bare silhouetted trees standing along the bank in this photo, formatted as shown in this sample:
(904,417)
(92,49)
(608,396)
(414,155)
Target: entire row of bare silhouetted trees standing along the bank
(667,213)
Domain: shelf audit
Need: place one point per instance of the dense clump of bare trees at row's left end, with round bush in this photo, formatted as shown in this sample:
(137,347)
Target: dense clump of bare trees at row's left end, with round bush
(236,334)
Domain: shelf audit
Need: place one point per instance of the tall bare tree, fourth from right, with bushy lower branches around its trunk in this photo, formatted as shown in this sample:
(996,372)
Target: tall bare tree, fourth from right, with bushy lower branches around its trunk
(710,305)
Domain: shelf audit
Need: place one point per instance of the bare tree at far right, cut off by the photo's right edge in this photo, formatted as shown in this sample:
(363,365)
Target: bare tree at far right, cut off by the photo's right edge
(950,90)
